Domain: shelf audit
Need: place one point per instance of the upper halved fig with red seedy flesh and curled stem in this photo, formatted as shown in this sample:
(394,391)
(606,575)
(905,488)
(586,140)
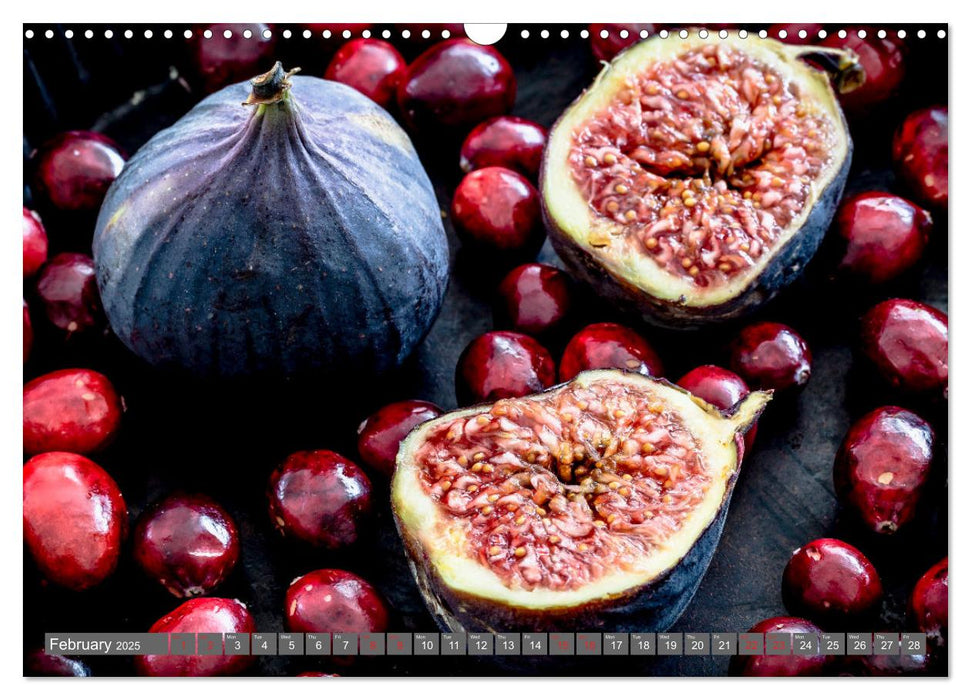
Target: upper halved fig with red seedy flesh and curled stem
(696,177)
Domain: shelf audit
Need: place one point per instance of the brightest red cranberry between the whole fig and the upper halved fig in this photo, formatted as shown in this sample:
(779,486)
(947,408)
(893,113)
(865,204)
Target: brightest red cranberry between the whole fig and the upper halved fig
(497,210)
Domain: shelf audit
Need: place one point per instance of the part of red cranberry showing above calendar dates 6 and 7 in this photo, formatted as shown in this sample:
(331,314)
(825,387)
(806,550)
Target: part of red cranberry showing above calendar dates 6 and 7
(331,600)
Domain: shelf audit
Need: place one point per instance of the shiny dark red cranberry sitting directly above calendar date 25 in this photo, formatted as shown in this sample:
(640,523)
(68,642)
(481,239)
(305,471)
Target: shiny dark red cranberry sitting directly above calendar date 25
(828,580)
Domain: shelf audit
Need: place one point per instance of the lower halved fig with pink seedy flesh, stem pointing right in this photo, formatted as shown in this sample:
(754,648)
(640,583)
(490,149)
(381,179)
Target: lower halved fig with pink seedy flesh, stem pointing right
(596,504)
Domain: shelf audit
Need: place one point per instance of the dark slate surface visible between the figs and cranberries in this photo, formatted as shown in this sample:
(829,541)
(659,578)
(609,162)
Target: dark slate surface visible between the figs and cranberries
(224,441)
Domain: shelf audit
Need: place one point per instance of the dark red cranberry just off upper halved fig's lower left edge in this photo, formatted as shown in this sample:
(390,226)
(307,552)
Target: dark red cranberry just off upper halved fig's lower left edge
(534,299)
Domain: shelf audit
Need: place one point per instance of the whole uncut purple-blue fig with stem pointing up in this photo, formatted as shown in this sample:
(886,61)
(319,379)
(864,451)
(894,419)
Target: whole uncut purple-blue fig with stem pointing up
(339,260)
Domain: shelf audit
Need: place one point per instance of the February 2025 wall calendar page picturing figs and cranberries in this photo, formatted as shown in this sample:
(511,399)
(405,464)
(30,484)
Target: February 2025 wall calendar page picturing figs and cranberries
(392,350)
